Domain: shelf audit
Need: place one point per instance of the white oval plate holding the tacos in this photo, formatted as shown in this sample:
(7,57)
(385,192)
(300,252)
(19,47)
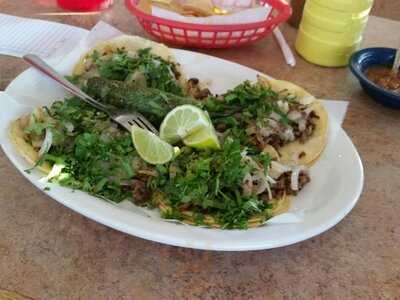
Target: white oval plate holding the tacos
(337,178)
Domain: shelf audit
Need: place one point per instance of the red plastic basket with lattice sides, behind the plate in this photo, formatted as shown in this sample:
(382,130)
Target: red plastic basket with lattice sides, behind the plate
(211,36)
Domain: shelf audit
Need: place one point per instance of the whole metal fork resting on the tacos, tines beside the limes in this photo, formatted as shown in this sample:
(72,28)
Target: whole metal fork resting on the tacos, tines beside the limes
(125,119)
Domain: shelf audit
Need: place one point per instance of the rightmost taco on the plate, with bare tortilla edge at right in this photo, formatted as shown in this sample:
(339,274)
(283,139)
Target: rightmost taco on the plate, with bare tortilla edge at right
(275,116)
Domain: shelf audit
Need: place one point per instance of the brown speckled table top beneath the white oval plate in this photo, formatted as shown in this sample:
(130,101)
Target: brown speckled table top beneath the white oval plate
(49,252)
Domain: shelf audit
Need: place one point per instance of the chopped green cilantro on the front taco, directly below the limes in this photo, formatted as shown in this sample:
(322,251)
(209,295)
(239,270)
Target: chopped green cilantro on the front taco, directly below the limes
(211,183)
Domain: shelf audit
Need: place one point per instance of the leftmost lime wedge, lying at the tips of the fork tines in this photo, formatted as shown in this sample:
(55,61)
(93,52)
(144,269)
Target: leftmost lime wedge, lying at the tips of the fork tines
(151,148)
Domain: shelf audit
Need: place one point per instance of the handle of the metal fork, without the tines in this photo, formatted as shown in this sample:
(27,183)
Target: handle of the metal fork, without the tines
(39,64)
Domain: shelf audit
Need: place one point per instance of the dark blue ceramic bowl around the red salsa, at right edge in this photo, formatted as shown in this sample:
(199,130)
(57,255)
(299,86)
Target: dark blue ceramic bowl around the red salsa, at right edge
(365,58)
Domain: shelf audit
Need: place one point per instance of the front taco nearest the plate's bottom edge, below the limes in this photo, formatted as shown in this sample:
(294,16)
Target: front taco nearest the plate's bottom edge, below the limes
(241,190)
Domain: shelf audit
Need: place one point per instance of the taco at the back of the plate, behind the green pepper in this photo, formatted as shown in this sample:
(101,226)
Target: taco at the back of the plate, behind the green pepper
(132,59)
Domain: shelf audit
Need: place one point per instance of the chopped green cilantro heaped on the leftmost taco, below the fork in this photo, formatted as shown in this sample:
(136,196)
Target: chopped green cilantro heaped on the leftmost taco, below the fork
(97,156)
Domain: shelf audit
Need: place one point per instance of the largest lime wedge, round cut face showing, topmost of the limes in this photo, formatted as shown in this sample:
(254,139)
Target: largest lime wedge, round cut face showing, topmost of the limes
(182,122)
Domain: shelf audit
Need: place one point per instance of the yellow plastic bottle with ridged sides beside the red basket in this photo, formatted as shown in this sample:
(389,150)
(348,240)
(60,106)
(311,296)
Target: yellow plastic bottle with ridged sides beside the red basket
(331,30)
